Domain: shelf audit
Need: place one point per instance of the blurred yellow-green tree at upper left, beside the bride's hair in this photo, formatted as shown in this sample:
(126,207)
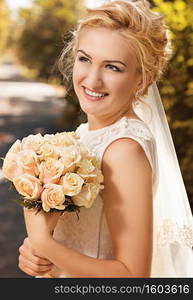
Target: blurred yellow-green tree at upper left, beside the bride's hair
(41,39)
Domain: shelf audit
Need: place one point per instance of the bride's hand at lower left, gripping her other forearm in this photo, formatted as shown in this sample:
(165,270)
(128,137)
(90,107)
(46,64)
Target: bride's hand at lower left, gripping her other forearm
(30,262)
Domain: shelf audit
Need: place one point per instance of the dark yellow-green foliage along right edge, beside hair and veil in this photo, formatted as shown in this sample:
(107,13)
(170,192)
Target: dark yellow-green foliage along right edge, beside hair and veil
(176,87)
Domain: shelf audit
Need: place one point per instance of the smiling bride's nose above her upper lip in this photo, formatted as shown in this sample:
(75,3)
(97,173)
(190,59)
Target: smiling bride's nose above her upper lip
(94,79)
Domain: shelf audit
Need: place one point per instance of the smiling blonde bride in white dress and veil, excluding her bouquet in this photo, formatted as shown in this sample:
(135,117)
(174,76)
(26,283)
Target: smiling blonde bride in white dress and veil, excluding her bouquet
(141,223)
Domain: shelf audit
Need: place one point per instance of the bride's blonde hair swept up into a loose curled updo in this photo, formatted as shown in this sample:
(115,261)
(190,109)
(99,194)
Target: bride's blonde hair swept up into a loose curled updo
(145,30)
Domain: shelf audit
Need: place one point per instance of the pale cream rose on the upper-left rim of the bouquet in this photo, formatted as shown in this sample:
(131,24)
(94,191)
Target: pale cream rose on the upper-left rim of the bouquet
(33,142)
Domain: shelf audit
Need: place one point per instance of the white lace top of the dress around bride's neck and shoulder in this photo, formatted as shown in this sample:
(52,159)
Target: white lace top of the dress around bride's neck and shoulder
(98,140)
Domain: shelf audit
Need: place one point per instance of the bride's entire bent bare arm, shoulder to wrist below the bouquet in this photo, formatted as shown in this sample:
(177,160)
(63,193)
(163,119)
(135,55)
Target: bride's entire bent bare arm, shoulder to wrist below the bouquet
(127,200)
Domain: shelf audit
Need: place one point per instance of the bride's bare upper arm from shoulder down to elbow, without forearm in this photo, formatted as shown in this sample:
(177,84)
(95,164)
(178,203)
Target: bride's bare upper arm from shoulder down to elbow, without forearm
(128,204)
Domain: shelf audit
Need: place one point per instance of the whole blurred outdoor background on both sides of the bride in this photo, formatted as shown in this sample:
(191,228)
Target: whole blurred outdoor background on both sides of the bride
(33,96)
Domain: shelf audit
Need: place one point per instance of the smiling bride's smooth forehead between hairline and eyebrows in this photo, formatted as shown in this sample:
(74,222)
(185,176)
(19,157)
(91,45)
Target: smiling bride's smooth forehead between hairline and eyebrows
(106,44)
